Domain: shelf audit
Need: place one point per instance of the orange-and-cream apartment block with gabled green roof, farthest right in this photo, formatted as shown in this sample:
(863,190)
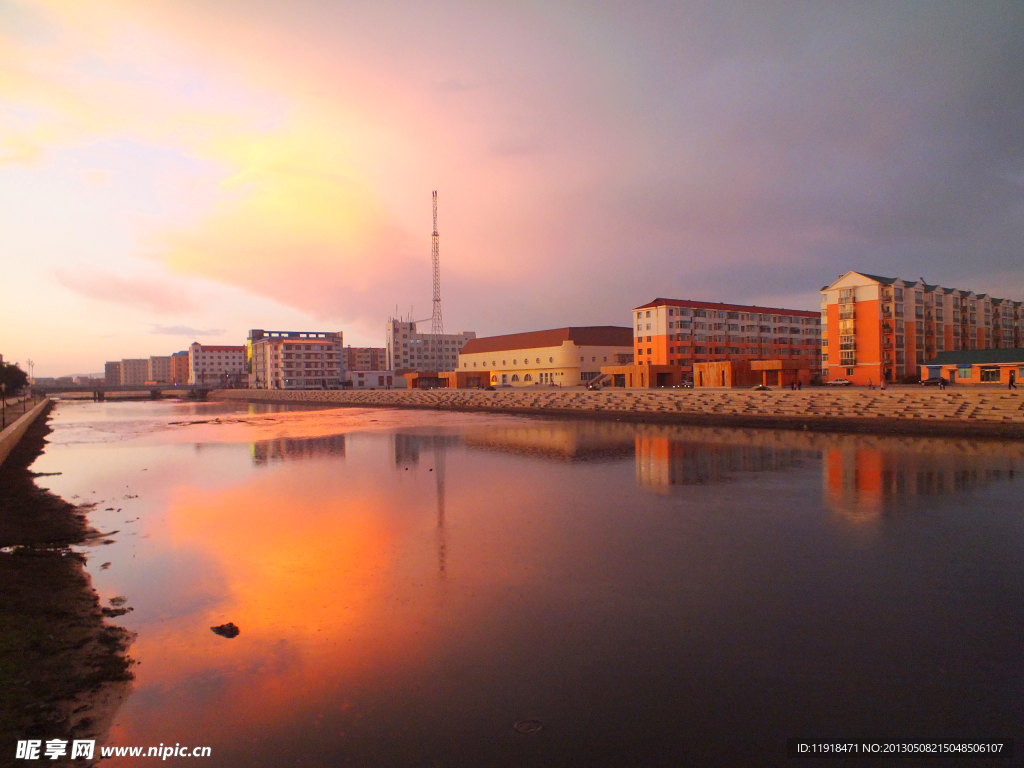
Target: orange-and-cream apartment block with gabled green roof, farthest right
(875,327)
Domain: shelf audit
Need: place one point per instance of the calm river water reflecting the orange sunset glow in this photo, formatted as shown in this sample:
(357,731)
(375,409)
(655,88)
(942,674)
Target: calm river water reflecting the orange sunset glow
(410,585)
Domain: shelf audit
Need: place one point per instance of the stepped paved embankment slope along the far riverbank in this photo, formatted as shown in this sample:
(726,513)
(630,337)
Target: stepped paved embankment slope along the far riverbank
(903,411)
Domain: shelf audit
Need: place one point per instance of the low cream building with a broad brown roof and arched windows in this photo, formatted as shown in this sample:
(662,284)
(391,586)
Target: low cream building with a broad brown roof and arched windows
(567,357)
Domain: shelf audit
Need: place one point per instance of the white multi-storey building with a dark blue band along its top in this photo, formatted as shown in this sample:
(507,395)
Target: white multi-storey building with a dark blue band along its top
(295,360)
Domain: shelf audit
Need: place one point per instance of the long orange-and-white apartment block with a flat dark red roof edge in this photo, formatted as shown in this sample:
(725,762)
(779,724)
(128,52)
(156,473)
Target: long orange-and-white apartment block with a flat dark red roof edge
(676,332)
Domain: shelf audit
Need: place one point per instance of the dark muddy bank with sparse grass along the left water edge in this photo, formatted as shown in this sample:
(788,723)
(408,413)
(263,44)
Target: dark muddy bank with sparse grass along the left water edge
(63,669)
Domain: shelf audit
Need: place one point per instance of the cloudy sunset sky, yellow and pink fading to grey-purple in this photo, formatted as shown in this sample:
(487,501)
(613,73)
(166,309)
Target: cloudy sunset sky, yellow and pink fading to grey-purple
(179,170)
